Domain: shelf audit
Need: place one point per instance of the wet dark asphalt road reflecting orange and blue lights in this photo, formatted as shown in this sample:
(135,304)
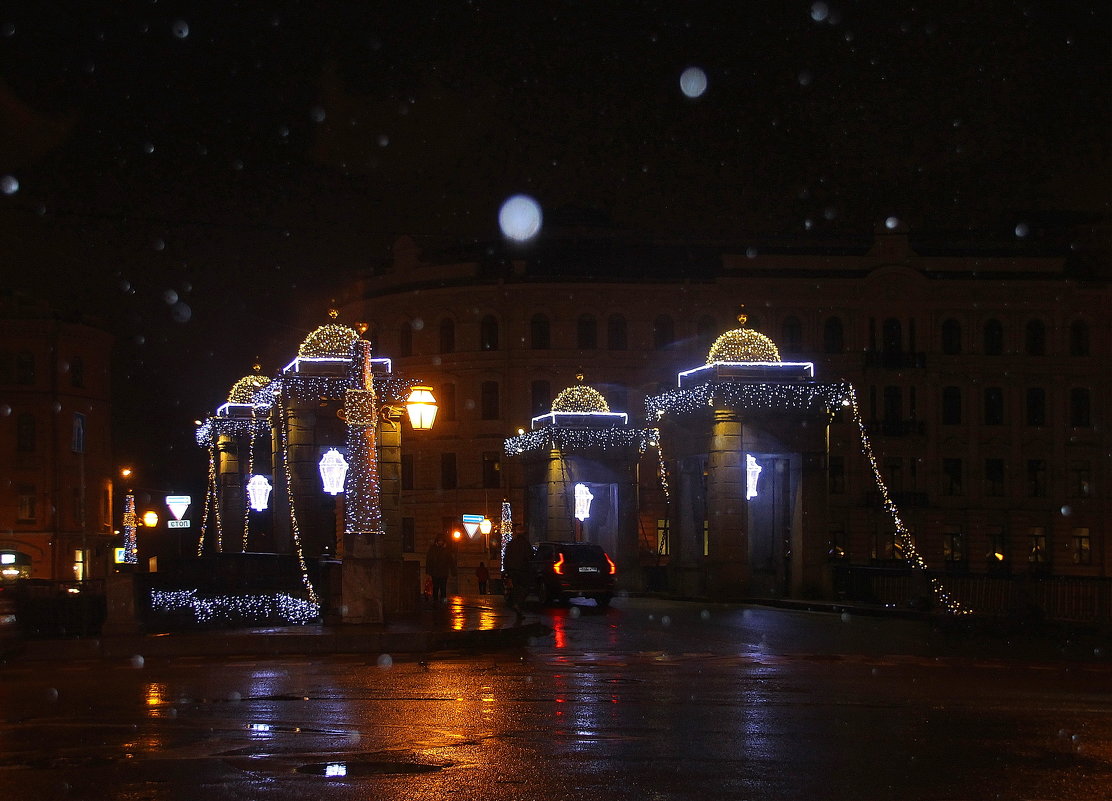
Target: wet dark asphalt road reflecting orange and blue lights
(647,700)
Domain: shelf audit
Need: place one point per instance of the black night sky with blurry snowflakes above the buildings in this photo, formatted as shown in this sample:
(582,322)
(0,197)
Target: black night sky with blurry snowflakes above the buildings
(196,174)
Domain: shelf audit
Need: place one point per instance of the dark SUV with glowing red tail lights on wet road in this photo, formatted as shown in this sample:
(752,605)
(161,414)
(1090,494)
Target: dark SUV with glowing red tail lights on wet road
(565,570)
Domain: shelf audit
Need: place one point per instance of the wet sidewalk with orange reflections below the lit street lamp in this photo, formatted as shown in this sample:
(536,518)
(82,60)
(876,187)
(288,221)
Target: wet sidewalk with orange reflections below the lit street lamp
(465,622)
